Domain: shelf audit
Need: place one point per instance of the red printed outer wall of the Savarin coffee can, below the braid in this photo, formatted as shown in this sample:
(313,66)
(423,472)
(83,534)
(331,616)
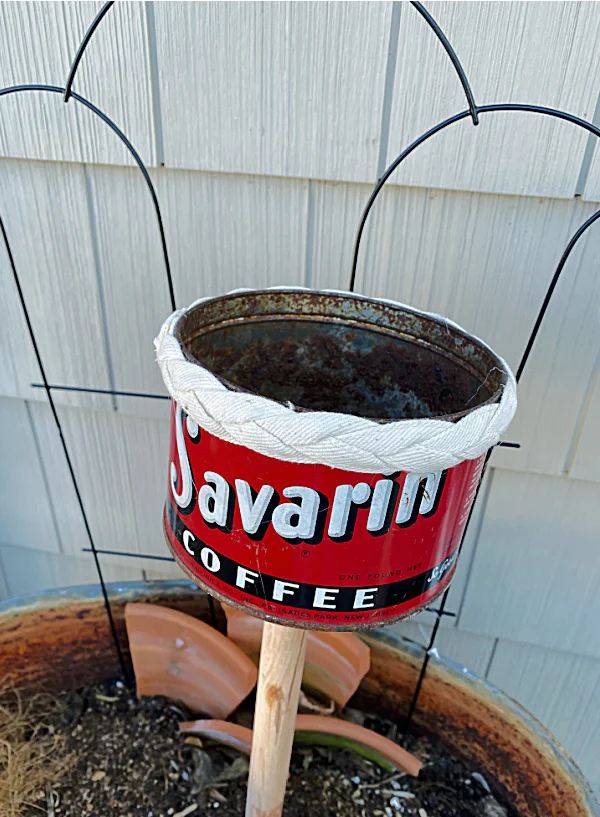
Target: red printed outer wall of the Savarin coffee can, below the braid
(309,545)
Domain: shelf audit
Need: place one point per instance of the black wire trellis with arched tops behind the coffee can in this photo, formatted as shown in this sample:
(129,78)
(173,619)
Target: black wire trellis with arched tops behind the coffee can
(473,111)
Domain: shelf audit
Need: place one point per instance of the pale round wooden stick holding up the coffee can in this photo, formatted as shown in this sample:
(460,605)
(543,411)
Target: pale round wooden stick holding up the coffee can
(280,673)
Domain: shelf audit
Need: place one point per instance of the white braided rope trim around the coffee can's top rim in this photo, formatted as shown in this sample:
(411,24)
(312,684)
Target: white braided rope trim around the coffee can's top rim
(322,437)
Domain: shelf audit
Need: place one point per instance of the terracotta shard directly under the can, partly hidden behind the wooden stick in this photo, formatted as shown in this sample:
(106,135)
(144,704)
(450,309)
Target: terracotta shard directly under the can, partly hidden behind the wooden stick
(335,664)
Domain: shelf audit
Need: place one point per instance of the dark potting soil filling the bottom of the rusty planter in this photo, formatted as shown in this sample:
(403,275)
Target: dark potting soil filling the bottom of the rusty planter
(129,760)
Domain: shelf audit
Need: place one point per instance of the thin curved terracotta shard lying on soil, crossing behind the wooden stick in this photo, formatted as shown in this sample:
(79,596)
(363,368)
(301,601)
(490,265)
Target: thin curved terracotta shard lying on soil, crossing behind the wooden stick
(316,730)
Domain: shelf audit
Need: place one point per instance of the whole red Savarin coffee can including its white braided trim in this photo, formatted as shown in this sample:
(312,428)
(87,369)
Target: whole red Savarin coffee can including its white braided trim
(325,452)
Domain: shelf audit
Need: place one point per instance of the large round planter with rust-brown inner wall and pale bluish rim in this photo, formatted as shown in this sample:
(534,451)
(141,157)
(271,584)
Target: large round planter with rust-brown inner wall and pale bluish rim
(60,640)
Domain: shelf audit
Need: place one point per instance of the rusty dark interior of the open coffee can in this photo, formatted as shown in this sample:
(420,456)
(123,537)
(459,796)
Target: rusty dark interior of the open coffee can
(336,352)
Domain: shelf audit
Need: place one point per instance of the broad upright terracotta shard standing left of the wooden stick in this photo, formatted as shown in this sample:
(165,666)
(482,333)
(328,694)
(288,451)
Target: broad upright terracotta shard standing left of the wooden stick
(182,658)
